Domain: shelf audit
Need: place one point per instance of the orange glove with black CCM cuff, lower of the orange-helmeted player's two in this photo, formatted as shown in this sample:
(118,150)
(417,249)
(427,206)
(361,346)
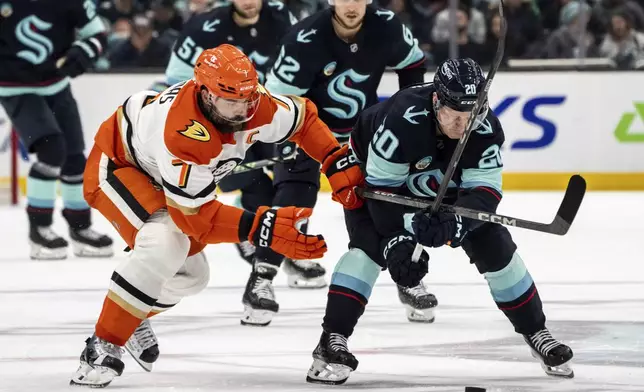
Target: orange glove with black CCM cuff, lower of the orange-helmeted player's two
(277,229)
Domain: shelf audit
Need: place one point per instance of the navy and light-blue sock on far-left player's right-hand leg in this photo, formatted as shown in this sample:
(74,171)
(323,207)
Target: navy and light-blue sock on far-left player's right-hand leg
(76,211)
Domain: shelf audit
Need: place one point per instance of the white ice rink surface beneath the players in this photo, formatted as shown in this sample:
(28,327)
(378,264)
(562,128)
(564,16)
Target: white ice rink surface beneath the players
(591,282)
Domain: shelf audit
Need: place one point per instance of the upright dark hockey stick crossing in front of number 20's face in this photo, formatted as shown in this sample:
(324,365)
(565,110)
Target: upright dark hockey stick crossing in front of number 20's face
(478,105)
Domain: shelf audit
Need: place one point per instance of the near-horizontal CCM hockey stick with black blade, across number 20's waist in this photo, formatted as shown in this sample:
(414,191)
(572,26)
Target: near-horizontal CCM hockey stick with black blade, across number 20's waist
(560,224)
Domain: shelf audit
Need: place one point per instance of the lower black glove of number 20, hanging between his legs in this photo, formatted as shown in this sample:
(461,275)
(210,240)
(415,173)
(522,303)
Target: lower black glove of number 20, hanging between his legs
(397,252)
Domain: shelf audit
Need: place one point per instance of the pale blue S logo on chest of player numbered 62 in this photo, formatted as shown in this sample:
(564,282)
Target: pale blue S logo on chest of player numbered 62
(343,94)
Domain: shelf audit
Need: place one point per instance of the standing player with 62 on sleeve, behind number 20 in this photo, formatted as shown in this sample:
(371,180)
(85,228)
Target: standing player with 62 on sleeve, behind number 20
(336,58)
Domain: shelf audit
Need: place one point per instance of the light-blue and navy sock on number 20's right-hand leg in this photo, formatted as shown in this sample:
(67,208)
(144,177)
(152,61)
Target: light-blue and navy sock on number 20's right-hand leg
(516,296)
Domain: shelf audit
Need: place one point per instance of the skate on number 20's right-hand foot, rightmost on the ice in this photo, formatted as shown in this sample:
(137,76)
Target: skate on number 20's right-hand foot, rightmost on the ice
(553,355)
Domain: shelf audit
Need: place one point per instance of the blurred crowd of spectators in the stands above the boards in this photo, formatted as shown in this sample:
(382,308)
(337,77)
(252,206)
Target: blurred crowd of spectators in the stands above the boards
(142,32)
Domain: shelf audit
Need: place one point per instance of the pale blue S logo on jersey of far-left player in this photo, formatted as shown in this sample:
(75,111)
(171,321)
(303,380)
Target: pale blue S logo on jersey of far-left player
(27,33)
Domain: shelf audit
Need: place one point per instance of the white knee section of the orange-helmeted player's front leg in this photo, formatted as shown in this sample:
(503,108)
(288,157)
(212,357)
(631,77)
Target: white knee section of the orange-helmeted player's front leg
(160,249)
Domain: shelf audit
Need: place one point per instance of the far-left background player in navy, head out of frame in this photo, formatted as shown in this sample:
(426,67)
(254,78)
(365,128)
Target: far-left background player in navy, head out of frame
(40,52)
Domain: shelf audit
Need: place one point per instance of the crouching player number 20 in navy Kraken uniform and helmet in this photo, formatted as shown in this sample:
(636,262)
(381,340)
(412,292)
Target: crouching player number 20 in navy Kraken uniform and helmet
(406,144)
